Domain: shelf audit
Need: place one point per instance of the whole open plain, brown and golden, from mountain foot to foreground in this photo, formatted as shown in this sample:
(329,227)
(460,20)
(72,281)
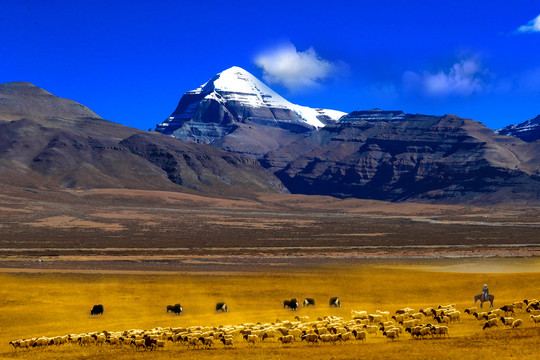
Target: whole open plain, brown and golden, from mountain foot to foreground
(136,252)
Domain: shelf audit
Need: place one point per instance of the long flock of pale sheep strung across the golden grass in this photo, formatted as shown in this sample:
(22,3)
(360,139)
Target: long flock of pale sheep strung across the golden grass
(431,322)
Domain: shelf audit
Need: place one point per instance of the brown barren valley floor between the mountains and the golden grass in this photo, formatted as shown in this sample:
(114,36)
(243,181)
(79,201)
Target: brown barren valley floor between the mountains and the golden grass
(128,230)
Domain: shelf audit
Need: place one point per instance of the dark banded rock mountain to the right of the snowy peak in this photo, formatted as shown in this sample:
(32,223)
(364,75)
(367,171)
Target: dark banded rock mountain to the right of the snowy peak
(399,157)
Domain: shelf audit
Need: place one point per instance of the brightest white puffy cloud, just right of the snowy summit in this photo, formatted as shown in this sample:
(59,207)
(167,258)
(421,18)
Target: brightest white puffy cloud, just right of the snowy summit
(296,70)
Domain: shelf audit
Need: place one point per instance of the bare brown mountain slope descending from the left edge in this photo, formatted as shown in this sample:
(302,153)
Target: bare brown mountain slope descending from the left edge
(49,142)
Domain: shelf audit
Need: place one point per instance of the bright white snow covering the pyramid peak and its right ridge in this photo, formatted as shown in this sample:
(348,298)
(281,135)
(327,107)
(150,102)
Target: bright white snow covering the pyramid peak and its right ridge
(236,84)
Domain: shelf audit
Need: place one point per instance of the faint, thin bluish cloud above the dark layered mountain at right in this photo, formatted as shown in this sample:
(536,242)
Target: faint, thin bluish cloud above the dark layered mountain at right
(463,78)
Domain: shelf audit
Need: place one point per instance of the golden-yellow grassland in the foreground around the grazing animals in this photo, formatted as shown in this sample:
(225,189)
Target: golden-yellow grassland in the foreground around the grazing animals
(52,304)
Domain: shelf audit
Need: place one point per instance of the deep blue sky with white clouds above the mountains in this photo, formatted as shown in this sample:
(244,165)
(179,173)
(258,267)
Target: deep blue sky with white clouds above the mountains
(131,61)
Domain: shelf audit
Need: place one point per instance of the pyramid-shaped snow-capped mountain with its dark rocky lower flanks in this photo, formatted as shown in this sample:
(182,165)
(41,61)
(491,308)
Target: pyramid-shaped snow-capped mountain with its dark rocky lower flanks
(236,111)
